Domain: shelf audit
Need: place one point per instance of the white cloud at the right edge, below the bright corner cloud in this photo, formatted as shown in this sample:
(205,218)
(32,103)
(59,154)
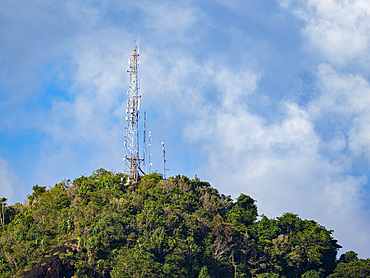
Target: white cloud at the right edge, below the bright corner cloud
(344,100)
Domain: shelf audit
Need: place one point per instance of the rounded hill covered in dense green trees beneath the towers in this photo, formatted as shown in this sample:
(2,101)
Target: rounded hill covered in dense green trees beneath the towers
(99,227)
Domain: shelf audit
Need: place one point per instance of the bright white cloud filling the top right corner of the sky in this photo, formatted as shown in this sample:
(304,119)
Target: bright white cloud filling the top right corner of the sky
(339,29)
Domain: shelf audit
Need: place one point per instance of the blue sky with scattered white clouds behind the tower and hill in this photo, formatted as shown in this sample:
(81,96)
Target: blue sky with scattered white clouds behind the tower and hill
(267,98)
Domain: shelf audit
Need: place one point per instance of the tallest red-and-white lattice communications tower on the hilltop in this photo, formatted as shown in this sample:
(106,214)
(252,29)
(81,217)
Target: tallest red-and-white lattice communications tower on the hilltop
(132,160)
